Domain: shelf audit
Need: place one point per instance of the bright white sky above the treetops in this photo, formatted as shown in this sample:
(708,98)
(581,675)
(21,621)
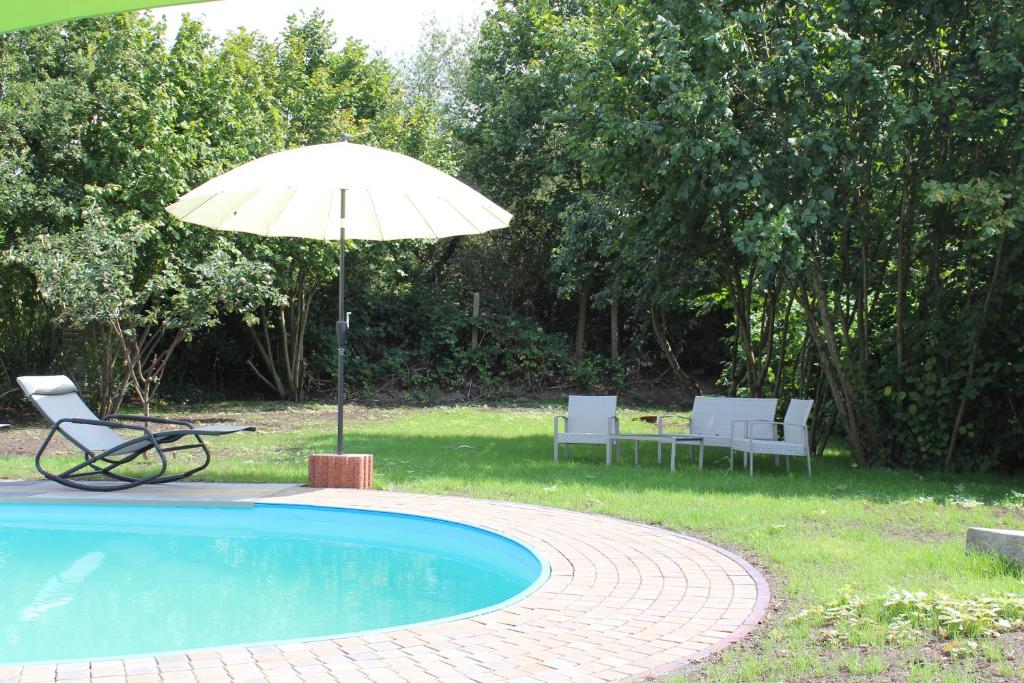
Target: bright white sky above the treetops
(390,26)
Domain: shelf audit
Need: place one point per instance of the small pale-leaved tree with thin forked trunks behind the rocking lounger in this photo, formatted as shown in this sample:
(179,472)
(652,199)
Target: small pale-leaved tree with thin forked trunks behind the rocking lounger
(94,280)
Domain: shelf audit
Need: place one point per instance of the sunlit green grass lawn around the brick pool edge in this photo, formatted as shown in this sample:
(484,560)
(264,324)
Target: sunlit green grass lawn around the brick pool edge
(844,532)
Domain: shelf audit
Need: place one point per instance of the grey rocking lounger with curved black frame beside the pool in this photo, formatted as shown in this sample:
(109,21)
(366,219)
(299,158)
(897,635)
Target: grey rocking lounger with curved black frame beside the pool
(106,451)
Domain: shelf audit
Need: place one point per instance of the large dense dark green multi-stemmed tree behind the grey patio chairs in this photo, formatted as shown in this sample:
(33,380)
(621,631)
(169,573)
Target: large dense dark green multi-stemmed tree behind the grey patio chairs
(859,162)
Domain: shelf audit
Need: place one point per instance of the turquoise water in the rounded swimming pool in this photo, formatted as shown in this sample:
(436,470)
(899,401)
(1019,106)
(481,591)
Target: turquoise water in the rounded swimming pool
(101,581)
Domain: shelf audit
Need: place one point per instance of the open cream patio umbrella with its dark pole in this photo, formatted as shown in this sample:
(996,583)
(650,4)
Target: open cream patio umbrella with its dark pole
(337,192)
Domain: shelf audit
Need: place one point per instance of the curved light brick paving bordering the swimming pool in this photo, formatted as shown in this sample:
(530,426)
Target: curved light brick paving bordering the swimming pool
(625,602)
